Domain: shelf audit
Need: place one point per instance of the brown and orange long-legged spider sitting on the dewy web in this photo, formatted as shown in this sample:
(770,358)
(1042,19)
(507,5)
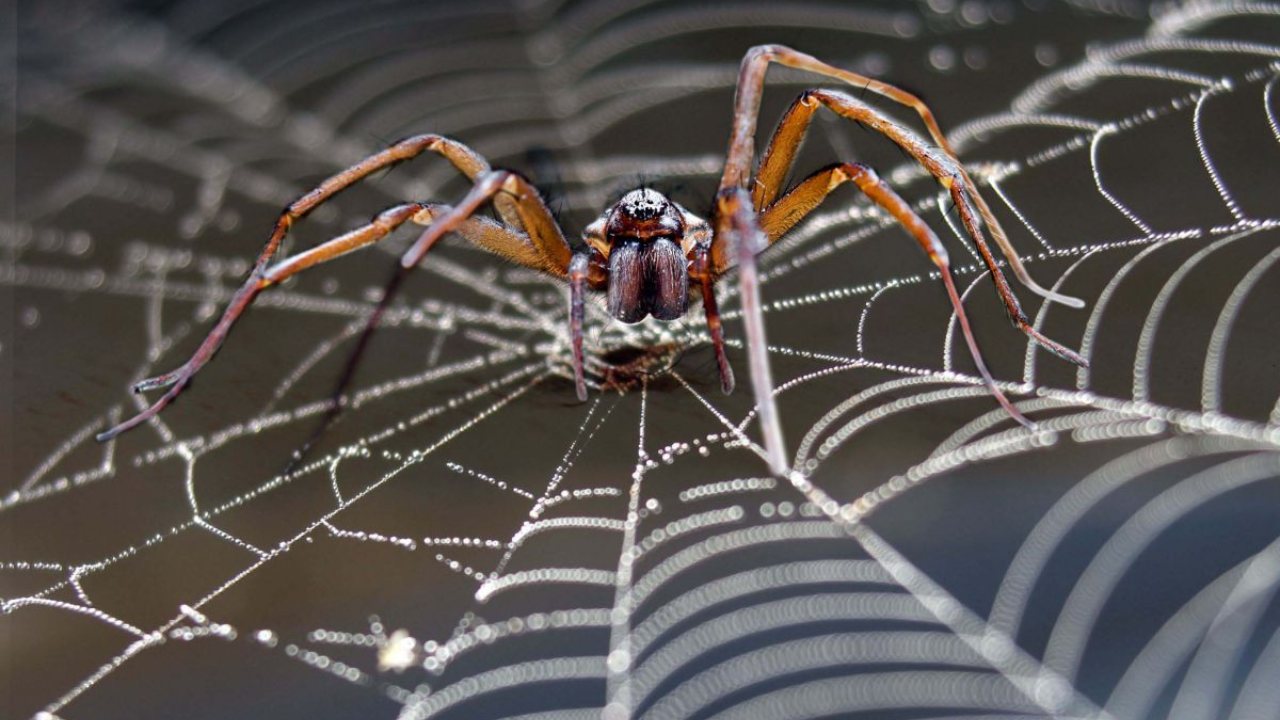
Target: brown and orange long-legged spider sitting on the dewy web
(648,254)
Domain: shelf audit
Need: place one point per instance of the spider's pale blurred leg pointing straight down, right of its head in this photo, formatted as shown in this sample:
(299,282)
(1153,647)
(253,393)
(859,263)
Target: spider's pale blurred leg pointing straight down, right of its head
(737,226)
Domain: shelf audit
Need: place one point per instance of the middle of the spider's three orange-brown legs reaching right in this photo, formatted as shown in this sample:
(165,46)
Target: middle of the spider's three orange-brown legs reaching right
(780,156)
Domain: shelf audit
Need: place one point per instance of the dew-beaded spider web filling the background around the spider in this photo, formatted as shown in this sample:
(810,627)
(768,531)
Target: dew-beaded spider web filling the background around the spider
(465,541)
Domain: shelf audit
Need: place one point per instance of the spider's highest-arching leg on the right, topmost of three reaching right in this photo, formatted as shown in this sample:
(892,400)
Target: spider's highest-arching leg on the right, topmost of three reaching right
(751,88)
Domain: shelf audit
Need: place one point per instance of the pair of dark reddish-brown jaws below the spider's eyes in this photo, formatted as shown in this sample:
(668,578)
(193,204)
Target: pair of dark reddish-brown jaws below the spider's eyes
(648,279)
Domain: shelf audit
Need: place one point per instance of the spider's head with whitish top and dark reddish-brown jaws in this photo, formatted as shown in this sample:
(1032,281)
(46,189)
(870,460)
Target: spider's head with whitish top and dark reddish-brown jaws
(648,271)
